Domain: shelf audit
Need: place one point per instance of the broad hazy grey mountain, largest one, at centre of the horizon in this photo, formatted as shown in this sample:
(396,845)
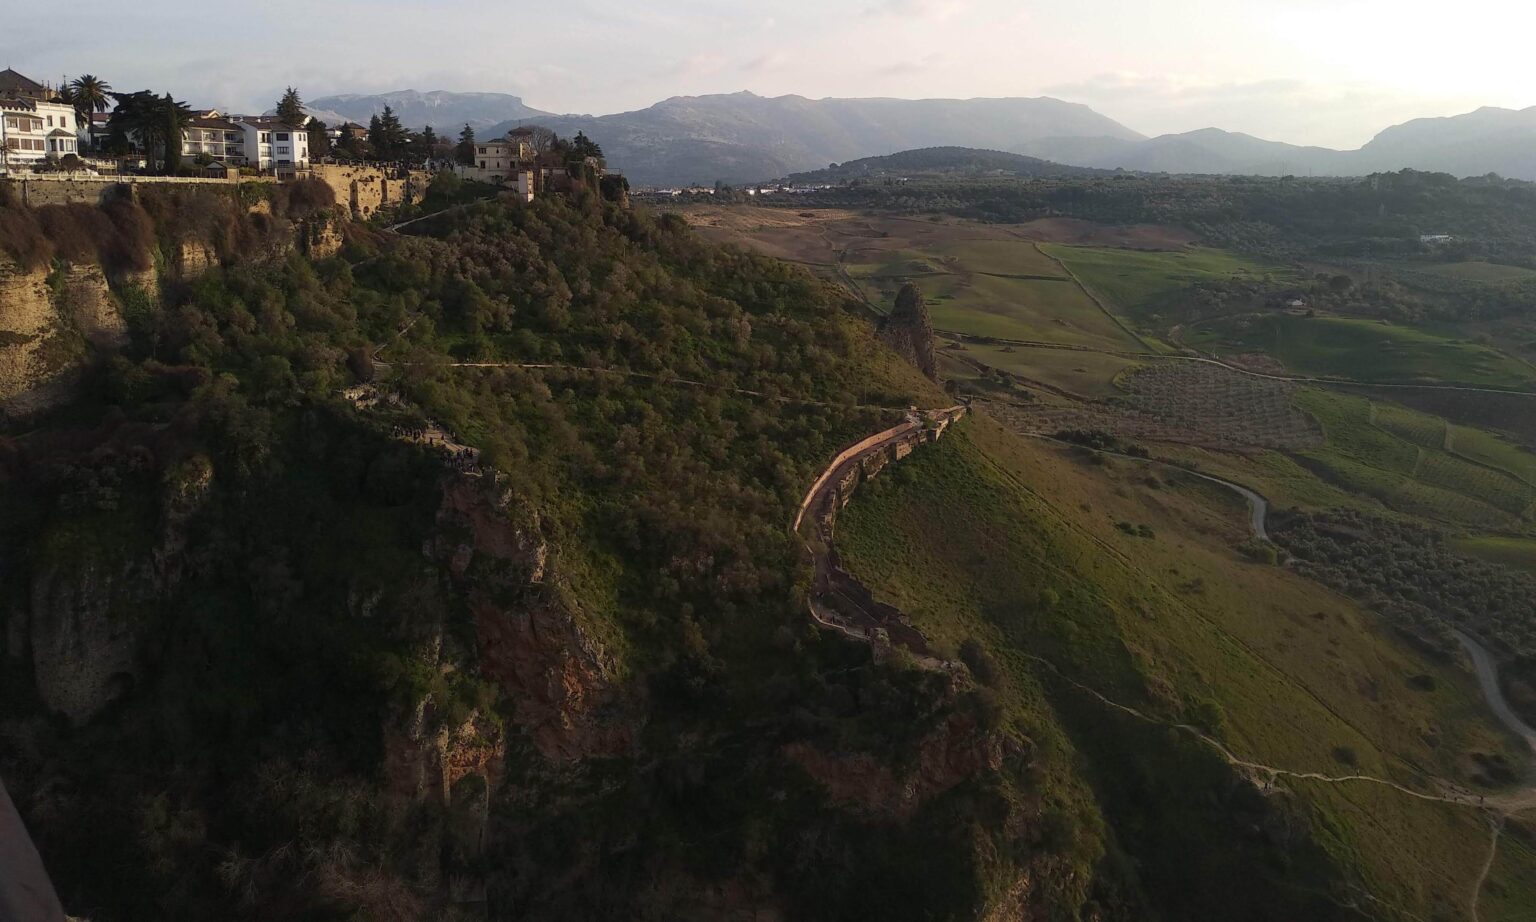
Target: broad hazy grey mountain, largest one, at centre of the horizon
(744,138)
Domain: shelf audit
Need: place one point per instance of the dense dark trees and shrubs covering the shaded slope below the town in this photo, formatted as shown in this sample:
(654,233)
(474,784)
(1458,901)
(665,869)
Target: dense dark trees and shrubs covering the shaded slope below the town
(260,543)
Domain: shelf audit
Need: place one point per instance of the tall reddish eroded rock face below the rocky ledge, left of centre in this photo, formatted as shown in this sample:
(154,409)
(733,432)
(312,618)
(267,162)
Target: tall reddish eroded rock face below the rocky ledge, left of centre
(529,642)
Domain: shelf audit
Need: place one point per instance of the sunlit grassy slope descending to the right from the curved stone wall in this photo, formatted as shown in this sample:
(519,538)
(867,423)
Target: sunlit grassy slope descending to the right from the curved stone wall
(962,542)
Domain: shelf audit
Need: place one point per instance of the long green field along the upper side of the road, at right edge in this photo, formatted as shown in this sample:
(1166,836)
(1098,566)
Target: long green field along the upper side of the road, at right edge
(1363,351)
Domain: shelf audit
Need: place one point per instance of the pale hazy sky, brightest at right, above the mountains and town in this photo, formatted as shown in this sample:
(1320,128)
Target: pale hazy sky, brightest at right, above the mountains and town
(1306,71)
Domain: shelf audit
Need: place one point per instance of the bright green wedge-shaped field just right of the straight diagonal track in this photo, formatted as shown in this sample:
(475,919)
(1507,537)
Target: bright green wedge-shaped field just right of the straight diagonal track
(1139,282)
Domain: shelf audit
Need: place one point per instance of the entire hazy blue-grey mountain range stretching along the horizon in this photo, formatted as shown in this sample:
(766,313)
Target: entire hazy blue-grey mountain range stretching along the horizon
(746,138)
